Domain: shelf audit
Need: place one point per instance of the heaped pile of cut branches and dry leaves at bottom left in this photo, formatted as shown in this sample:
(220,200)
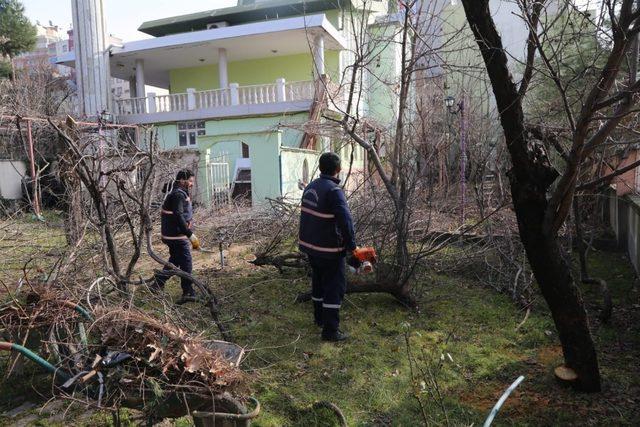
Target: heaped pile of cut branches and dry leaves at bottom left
(114,357)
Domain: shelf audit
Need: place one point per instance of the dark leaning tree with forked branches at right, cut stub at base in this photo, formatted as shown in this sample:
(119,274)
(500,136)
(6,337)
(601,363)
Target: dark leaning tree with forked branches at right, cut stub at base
(543,194)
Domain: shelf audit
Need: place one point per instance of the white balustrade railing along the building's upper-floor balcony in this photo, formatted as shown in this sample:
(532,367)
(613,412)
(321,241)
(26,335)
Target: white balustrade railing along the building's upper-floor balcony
(280,91)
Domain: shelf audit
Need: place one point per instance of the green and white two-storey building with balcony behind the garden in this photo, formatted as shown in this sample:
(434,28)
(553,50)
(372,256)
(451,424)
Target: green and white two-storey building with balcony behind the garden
(242,80)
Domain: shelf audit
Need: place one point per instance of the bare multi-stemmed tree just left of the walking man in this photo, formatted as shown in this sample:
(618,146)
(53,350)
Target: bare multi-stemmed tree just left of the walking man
(121,175)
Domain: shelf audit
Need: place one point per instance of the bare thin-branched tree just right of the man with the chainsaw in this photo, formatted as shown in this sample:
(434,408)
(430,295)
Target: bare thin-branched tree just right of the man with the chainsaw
(399,194)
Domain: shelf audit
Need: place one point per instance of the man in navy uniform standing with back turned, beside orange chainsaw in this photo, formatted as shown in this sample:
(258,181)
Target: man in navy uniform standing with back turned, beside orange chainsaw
(326,236)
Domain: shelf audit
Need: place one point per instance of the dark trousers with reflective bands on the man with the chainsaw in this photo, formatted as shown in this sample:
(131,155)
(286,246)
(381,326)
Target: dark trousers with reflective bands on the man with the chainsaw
(328,285)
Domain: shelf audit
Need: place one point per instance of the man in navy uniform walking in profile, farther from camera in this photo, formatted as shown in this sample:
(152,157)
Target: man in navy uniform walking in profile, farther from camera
(176,221)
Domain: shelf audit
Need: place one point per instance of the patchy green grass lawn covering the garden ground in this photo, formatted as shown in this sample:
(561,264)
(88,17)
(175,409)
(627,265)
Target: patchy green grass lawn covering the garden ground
(462,336)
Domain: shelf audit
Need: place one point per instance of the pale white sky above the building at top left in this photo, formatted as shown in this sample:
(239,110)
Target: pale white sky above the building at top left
(123,17)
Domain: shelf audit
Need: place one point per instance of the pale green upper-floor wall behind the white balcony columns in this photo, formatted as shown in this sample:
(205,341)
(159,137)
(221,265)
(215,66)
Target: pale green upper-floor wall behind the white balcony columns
(251,72)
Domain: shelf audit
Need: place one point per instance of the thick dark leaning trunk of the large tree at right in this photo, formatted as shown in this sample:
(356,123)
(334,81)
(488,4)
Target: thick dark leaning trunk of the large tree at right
(531,176)
